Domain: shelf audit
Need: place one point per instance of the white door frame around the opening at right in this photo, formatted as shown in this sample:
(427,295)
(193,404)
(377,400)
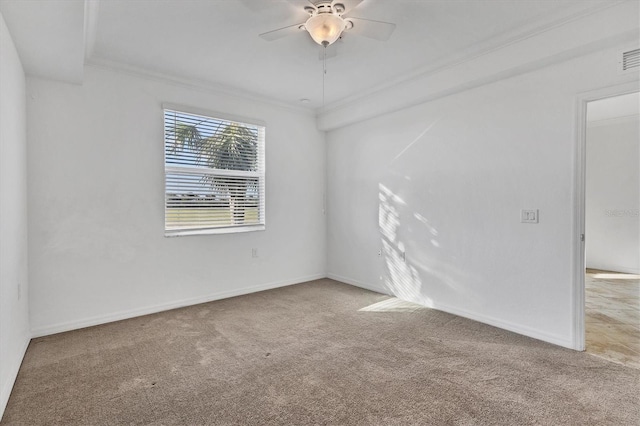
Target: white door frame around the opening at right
(580,166)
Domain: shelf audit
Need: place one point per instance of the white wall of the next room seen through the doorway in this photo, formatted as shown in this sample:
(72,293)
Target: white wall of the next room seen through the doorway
(613,196)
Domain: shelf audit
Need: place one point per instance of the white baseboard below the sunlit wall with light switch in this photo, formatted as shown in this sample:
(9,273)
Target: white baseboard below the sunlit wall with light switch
(505,325)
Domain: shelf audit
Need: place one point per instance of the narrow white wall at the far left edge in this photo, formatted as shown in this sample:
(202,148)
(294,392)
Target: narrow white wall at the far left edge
(14,310)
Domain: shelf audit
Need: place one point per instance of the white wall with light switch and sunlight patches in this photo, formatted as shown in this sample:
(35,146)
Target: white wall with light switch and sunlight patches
(445,181)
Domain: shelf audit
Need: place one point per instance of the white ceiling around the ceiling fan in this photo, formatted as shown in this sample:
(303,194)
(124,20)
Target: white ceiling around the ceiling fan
(215,42)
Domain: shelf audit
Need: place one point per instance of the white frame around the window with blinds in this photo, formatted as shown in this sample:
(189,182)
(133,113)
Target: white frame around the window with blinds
(260,174)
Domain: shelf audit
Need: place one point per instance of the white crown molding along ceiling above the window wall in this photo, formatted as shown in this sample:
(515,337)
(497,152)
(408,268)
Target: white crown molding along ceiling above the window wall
(189,83)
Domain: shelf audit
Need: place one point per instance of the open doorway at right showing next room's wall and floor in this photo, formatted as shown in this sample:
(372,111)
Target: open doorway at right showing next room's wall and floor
(612,229)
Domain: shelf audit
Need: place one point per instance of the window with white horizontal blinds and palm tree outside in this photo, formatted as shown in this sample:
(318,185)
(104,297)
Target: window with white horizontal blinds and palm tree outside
(214,175)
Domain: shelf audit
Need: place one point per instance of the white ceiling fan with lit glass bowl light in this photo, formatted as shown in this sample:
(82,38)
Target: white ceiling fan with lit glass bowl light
(327,22)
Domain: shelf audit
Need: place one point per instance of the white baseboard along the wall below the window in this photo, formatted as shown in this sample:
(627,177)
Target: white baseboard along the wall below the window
(122,315)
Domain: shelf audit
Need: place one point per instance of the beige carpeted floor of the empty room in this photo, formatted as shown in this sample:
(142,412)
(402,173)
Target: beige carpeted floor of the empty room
(315,353)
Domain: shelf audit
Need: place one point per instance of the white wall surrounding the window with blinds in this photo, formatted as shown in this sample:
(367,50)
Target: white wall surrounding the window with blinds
(97,246)
